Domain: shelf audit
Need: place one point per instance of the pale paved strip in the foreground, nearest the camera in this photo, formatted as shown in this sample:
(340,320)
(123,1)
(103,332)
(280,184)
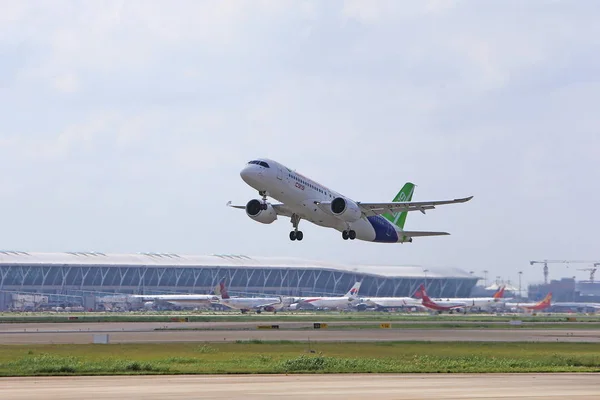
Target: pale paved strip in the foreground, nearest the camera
(296,387)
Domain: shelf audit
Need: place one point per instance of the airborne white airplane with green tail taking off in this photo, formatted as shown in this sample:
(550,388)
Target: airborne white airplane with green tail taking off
(302,198)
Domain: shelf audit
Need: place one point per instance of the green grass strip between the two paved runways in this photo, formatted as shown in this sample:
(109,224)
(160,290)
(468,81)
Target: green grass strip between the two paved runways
(255,357)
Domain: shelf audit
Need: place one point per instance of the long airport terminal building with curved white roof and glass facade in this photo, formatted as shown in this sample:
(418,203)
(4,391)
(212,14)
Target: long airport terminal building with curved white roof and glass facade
(74,273)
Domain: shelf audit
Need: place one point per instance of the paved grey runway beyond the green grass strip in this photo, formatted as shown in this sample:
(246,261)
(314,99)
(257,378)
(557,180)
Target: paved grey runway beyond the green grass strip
(146,332)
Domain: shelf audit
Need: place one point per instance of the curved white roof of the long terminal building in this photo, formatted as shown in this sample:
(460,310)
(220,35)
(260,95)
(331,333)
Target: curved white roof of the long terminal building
(220,260)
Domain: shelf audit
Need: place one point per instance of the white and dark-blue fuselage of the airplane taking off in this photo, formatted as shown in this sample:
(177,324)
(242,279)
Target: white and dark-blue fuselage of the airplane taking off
(299,195)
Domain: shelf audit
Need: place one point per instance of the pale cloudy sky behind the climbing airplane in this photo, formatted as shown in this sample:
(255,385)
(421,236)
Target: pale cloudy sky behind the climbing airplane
(124,125)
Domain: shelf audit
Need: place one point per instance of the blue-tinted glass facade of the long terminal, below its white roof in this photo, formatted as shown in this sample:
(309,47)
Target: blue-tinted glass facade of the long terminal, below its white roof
(203,279)
